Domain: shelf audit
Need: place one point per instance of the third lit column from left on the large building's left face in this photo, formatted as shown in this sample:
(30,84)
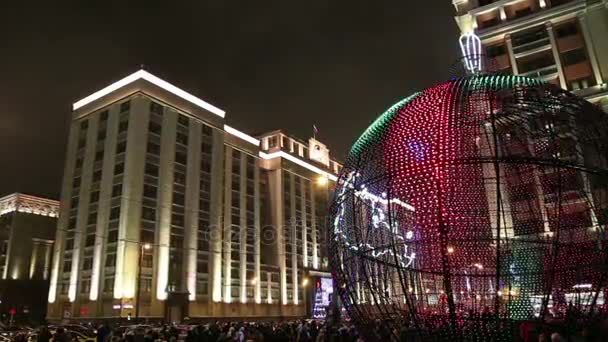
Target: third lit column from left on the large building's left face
(105,196)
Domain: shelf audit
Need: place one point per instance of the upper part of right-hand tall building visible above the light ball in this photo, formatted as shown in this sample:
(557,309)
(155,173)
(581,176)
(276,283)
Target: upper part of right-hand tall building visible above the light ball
(560,41)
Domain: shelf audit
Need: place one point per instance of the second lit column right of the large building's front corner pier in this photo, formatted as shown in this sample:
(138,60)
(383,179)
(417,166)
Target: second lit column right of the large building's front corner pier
(193,175)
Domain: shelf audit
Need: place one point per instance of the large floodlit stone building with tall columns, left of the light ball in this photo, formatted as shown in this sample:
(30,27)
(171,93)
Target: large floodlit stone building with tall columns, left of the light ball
(167,212)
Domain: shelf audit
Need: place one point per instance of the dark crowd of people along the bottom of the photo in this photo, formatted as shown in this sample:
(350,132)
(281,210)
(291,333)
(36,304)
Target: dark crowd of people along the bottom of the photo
(321,331)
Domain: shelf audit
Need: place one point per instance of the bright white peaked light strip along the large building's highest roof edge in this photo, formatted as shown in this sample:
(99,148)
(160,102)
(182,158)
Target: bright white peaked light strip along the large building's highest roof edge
(142,74)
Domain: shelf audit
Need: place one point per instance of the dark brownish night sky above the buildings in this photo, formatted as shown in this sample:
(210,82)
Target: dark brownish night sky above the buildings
(269,64)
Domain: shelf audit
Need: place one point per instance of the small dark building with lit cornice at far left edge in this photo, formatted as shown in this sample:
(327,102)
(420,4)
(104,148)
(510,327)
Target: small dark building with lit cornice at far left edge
(27,232)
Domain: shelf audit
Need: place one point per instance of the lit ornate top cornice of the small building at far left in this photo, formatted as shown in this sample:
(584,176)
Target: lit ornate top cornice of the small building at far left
(29,204)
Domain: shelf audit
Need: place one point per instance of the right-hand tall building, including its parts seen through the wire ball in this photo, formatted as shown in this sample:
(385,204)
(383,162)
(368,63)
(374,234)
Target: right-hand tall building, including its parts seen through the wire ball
(561,42)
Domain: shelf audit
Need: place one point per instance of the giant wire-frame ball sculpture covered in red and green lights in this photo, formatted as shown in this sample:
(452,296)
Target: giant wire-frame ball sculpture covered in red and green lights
(471,208)
